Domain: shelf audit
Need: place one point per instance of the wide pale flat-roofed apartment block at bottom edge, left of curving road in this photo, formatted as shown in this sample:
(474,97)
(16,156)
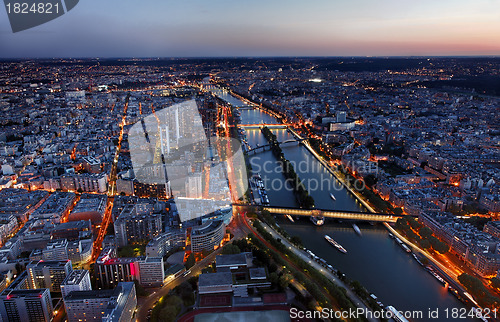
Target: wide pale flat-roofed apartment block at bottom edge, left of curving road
(116,304)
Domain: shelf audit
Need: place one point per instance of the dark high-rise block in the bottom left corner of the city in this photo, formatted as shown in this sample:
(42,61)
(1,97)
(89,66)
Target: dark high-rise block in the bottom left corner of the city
(26,305)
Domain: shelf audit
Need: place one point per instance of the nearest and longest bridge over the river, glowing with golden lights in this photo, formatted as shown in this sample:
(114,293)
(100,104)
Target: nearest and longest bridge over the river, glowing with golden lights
(347,215)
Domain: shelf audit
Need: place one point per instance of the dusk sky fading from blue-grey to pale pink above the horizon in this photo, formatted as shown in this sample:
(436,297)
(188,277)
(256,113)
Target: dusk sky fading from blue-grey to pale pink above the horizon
(187,28)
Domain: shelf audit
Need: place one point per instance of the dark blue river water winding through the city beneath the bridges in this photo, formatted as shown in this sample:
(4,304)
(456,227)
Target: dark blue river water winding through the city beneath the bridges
(374,259)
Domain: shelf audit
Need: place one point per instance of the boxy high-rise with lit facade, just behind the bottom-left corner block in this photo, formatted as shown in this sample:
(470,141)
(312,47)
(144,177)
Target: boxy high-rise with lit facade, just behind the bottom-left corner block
(48,274)
